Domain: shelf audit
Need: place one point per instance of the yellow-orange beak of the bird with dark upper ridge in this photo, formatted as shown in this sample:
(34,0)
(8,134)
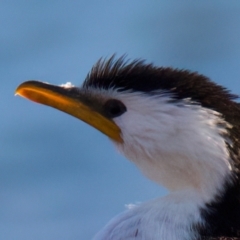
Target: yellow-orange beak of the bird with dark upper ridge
(66,100)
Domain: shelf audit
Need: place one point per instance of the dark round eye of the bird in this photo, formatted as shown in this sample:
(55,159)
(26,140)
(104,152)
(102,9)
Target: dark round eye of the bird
(114,108)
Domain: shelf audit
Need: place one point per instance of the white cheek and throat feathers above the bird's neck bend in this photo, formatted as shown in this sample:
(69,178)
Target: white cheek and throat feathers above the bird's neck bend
(181,145)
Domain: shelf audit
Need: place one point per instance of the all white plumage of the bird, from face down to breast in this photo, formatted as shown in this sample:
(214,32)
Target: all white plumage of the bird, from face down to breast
(179,145)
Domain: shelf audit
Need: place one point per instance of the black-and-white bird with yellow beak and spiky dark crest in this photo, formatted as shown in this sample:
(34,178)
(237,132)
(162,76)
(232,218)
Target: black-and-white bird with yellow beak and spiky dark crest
(181,129)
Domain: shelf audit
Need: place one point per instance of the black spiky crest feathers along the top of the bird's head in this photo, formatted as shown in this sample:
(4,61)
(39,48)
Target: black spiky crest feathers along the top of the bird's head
(136,75)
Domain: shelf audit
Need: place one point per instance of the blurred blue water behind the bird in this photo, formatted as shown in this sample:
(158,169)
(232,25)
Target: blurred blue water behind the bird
(59,178)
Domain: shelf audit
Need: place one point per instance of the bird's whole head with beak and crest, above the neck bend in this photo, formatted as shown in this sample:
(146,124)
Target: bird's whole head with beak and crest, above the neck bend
(175,125)
